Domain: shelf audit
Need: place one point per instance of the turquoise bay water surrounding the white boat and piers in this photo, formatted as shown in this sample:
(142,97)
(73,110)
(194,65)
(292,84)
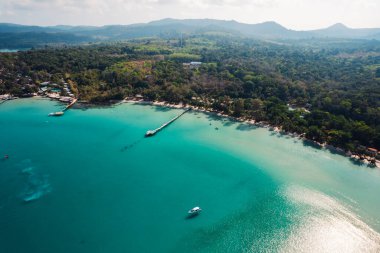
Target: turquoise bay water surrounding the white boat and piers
(90,182)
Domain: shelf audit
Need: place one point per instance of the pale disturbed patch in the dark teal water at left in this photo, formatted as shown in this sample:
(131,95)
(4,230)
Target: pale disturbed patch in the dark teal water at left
(37,185)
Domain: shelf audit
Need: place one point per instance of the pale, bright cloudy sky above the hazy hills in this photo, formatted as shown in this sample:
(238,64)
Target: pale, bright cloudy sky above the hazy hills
(293,14)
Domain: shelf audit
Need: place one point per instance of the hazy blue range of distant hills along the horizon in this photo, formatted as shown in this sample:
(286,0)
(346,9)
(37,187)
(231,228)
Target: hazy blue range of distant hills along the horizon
(19,36)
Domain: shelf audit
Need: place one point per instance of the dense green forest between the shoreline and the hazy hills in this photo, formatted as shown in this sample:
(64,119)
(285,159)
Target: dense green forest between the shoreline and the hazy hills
(327,90)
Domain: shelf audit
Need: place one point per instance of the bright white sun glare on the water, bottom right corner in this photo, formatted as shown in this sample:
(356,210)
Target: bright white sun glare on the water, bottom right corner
(327,226)
